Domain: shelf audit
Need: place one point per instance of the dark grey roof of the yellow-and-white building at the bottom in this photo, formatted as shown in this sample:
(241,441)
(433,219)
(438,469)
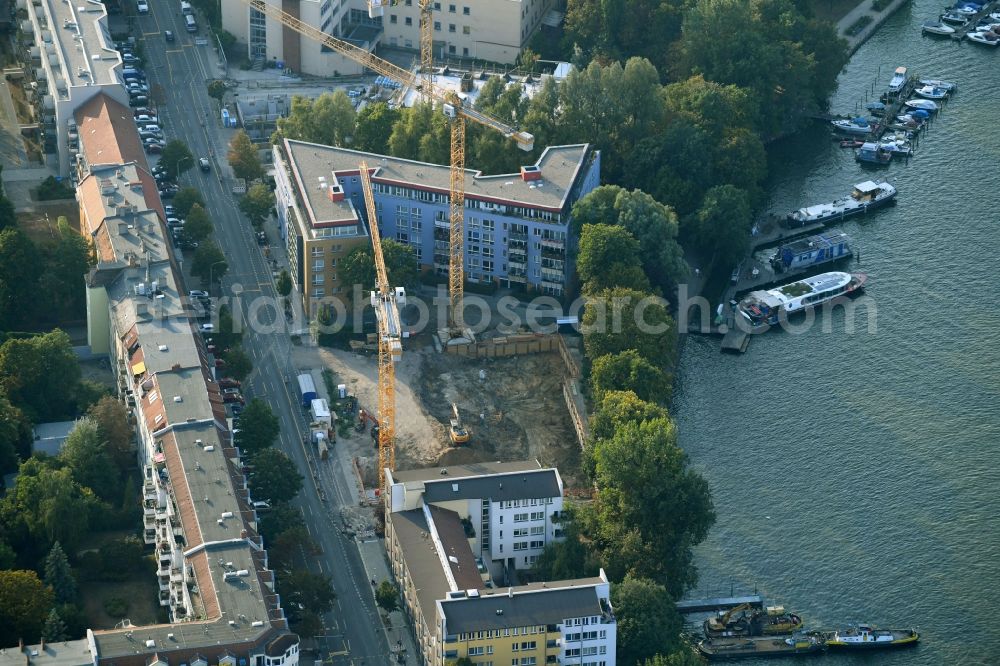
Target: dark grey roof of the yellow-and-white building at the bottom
(516,607)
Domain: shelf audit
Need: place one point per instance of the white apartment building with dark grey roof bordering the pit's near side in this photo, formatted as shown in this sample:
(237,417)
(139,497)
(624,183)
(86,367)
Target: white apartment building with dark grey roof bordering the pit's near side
(511,510)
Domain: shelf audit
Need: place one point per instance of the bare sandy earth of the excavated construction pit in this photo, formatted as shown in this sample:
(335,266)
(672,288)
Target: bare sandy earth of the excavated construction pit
(515,412)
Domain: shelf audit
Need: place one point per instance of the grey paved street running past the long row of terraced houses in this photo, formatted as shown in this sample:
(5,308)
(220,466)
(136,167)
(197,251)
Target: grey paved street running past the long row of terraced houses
(182,68)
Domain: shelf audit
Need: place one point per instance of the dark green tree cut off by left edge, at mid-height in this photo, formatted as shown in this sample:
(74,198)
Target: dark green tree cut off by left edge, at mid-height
(20,269)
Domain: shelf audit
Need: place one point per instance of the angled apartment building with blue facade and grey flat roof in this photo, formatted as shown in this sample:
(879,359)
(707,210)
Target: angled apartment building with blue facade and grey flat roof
(517,230)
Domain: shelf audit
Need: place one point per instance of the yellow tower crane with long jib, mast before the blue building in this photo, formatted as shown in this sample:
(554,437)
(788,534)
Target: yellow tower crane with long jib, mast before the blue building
(451,104)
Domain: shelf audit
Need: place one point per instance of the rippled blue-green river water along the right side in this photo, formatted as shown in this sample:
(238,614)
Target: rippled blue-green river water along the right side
(855,475)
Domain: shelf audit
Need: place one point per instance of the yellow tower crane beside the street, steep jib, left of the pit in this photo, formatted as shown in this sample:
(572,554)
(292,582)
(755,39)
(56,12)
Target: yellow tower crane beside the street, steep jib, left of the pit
(386,302)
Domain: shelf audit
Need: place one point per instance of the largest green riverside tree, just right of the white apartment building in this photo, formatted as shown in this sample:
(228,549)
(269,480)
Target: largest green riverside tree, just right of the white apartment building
(651,509)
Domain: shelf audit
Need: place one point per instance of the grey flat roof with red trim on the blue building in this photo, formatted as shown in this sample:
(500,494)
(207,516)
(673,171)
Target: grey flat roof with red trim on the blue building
(558,166)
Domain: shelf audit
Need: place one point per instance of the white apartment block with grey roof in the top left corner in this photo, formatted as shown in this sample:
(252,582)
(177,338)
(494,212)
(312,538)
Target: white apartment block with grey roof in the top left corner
(70,48)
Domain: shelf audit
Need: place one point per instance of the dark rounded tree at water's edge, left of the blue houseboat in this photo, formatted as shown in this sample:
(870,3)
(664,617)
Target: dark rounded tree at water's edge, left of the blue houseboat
(722,224)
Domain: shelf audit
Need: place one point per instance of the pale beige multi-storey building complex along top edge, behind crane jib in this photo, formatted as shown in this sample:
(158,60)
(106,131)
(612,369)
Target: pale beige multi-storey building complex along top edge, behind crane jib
(493,30)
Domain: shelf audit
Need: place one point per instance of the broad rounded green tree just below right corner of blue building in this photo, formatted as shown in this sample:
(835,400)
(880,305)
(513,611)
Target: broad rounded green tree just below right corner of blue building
(615,320)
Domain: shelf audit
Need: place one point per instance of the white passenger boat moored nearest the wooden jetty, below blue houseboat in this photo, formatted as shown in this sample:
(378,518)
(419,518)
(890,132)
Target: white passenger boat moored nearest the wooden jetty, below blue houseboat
(767,307)
